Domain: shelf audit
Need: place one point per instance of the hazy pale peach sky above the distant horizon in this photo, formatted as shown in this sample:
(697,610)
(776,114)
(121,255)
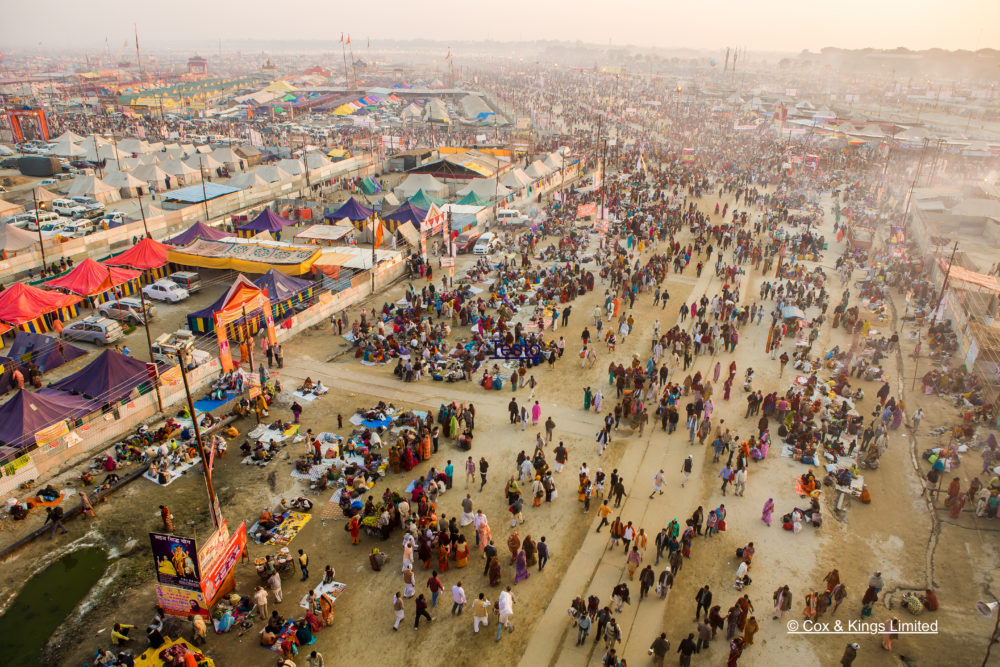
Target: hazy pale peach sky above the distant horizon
(761,25)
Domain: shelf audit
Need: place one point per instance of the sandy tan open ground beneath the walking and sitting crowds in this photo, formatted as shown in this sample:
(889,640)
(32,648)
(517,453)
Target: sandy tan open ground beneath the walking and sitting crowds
(914,547)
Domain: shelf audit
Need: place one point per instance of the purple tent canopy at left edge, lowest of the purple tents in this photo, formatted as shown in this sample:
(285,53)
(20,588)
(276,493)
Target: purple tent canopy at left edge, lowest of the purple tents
(30,411)
